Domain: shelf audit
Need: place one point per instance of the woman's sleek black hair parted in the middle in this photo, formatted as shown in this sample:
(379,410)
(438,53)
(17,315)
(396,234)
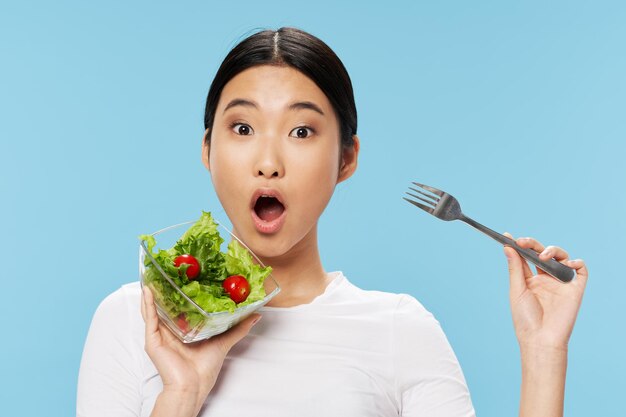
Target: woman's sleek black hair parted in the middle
(300,50)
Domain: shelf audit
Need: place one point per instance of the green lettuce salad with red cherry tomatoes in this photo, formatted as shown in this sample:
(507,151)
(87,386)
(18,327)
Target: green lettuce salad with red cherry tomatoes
(214,280)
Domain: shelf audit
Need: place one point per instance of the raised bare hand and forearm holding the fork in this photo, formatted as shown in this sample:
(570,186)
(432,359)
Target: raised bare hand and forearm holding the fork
(544,311)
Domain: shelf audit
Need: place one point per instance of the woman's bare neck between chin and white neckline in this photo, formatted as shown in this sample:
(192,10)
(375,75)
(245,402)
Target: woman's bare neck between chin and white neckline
(299,273)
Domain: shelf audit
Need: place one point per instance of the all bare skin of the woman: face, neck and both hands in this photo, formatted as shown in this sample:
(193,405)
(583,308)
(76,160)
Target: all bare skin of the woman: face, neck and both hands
(253,146)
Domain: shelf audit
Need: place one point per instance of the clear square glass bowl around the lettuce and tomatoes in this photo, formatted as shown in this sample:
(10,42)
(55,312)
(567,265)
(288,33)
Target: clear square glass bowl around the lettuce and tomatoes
(211,324)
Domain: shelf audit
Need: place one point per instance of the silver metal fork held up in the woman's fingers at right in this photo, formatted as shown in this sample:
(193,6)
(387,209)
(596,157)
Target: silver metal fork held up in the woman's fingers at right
(442,205)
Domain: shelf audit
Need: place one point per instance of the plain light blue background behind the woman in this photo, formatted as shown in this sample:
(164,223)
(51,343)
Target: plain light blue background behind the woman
(516,108)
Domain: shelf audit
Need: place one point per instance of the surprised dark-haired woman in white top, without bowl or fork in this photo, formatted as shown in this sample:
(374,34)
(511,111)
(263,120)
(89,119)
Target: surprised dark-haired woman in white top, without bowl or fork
(280,135)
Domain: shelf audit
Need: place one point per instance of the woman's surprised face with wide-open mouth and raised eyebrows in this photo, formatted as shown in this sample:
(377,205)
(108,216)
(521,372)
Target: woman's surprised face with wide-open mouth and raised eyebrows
(275,158)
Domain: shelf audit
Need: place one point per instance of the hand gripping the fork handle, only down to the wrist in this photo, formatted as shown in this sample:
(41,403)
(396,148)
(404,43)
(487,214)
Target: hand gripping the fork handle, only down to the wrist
(544,309)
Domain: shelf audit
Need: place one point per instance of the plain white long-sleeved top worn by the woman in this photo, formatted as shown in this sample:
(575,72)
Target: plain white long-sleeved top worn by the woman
(349,352)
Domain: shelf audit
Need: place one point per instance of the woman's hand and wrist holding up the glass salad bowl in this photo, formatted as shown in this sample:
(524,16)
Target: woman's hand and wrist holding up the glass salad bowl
(188,372)
